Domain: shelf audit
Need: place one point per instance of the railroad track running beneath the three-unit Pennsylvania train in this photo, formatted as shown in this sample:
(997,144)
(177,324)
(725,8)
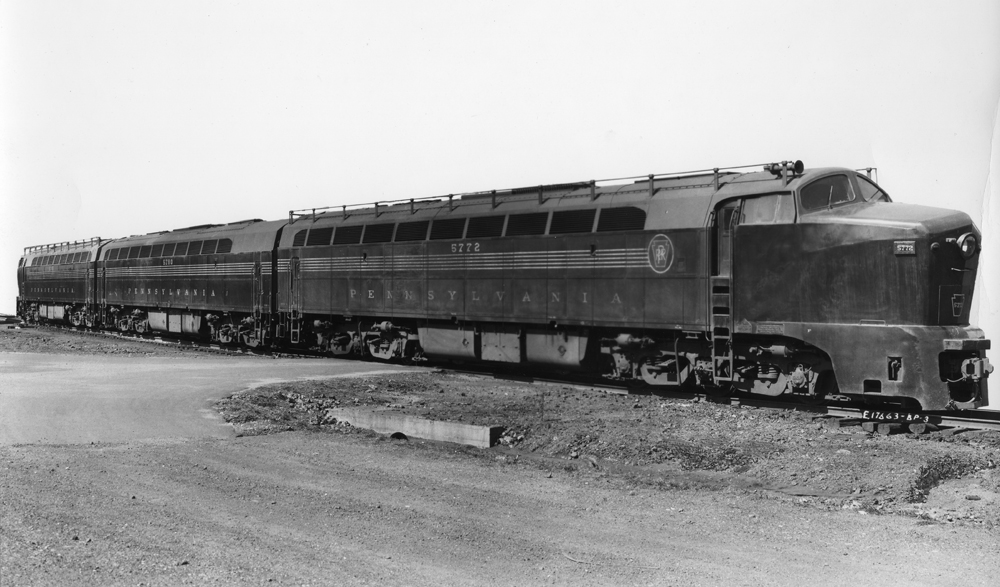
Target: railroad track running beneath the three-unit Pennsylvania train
(873,420)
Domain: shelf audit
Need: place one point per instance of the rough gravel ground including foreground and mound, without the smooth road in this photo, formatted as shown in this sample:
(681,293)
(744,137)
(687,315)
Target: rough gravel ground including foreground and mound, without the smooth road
(586,488)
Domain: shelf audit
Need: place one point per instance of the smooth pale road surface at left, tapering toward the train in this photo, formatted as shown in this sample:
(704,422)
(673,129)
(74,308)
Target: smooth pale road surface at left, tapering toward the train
(71,398)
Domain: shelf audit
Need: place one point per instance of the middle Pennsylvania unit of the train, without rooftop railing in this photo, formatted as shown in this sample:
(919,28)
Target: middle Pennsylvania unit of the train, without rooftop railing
(213,281)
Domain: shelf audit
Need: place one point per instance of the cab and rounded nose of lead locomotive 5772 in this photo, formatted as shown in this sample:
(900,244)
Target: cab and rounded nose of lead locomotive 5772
(875,292)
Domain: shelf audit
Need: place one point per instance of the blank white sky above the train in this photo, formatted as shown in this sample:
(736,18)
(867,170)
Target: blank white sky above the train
(128,117)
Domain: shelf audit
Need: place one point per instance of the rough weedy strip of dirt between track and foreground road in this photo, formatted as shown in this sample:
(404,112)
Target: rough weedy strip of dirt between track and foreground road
(670,443)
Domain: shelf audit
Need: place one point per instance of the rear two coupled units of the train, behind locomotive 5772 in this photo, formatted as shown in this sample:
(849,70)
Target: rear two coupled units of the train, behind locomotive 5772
(211,281)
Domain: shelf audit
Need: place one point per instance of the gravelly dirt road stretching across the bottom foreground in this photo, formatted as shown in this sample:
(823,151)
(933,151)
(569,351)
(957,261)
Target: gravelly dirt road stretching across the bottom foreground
(327,509)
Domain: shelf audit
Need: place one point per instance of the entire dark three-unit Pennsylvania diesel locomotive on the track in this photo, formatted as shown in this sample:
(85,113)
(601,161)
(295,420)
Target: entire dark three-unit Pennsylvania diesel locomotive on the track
(783,281)
